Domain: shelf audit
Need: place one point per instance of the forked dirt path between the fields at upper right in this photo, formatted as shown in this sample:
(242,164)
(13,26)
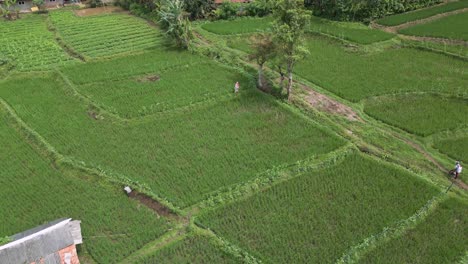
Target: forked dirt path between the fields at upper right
(395,29)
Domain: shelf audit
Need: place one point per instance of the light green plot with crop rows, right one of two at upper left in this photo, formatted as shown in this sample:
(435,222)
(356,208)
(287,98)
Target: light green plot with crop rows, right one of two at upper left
(105,35)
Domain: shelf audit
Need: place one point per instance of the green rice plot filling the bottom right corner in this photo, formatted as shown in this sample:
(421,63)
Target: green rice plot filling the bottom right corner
(439,239)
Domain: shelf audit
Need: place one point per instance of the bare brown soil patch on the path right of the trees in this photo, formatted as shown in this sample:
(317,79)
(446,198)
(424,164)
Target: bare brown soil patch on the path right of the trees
(325,103)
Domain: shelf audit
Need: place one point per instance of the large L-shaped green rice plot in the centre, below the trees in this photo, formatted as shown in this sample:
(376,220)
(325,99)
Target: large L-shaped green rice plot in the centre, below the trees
(183,155)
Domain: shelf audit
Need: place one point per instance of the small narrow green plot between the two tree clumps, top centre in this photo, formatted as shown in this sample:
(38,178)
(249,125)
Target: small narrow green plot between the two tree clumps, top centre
(239,26)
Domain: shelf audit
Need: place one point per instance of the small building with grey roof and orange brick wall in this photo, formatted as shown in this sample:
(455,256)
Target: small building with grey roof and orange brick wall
(52,243)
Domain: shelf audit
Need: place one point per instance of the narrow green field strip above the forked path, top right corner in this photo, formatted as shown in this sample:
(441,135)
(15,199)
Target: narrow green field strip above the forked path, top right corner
(423,13)
